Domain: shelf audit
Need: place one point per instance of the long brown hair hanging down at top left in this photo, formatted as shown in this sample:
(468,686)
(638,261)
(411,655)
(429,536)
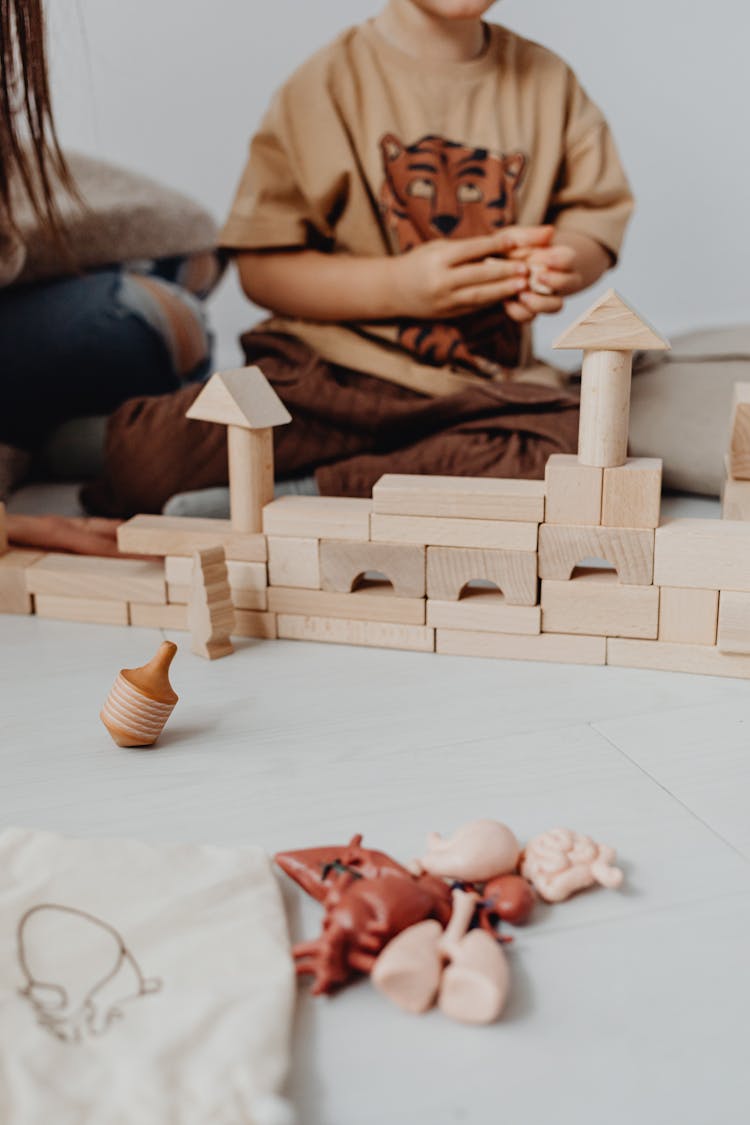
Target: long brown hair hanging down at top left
(30,150)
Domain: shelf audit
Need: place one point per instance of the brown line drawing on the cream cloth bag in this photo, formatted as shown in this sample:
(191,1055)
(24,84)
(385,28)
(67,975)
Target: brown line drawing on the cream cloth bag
(79,971)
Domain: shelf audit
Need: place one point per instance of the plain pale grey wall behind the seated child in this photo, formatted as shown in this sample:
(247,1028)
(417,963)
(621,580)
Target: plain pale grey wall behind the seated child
(175,88)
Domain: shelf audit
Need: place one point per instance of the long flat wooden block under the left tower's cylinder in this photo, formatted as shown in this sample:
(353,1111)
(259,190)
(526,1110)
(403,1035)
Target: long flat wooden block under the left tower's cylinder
(176,535)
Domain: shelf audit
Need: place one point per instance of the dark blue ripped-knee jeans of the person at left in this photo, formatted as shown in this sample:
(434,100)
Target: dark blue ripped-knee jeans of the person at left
(80,347)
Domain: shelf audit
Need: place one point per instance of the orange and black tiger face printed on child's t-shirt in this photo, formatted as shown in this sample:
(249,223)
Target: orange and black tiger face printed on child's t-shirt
(441,190)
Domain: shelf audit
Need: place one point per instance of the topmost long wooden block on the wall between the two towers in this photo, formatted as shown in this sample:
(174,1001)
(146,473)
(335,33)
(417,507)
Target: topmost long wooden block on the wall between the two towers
(460,498)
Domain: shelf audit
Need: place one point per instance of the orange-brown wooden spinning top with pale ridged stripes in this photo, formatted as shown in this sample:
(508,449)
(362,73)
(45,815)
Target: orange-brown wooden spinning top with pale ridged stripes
(141,701)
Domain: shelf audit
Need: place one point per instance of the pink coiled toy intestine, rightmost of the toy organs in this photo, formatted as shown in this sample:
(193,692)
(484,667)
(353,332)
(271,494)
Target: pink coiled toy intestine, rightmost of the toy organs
(562,862)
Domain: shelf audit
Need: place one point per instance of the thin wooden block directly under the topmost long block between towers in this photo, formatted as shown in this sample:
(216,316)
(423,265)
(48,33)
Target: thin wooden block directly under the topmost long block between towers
(433,532)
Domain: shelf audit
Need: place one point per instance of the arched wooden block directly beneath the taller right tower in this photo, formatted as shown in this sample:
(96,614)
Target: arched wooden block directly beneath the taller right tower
(629,551)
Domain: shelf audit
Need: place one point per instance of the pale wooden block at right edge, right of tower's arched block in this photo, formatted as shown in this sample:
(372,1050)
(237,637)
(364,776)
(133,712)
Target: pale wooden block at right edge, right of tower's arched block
(703,554)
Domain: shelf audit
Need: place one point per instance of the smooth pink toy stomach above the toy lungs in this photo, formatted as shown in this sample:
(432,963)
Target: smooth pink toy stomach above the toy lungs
(475,853)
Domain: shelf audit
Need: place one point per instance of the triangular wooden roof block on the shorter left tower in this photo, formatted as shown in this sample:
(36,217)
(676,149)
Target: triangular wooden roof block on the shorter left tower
(243,398)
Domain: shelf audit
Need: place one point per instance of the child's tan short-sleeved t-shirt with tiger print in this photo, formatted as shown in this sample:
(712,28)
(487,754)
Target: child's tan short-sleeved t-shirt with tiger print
(368,151)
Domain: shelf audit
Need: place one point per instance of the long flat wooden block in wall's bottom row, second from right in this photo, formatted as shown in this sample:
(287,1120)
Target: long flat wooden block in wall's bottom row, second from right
(548,647)
